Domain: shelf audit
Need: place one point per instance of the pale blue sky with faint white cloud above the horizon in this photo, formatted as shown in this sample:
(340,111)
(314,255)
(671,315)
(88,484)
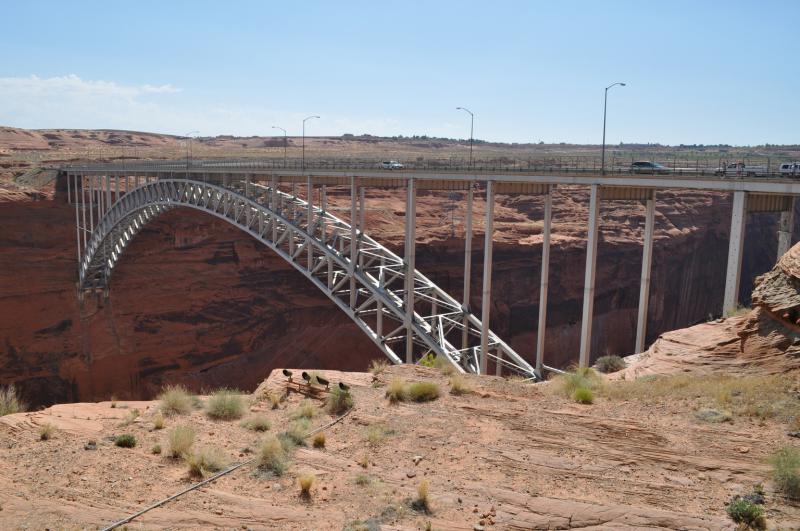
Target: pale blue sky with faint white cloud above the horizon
(697,72)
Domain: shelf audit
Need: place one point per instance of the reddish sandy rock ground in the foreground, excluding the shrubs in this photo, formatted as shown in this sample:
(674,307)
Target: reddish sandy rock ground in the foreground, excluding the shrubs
(510,455)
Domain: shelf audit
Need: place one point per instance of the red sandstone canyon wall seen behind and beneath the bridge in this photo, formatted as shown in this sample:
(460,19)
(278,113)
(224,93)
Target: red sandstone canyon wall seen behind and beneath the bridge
(195,301)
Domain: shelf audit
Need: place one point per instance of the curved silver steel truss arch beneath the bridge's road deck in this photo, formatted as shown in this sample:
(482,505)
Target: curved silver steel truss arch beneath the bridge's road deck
(367,281)
